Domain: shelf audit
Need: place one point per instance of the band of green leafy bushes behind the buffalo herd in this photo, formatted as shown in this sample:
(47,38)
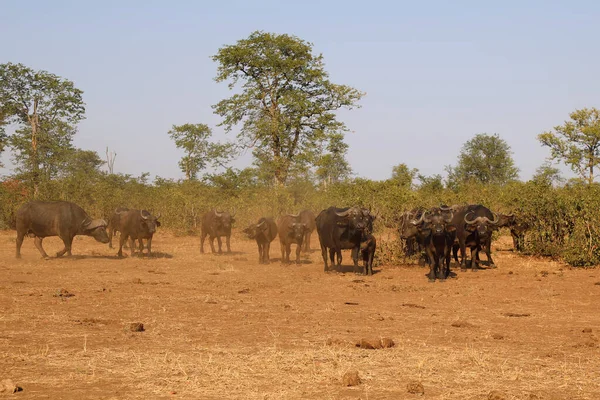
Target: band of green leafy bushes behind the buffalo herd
(564,222)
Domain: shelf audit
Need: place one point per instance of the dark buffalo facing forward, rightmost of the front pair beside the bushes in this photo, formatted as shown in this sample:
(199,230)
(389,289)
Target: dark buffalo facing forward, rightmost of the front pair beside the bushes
(474,227)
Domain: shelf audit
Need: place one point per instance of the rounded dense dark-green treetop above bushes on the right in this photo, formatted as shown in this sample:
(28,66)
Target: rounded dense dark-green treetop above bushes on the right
(485,159)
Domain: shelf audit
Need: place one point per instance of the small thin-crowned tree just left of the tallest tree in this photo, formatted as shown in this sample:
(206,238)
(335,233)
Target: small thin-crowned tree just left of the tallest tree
(199,152)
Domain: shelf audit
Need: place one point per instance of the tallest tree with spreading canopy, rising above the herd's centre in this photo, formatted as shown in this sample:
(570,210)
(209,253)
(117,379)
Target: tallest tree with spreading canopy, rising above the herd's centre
(286,103)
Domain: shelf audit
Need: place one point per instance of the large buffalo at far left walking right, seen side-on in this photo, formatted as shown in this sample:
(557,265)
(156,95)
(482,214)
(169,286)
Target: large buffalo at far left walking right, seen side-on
(40,219)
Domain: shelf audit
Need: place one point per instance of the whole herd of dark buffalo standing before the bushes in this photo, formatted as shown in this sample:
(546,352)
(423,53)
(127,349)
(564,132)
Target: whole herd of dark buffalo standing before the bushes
(437,233)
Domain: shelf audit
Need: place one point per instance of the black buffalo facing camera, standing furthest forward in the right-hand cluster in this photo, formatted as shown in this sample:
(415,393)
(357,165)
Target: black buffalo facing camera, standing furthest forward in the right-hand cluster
(434,225)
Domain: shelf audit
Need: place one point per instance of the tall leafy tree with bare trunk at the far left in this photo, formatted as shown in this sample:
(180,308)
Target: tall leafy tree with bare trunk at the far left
(38,102)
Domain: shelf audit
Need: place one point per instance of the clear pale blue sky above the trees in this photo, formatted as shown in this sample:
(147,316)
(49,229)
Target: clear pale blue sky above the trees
(435,72)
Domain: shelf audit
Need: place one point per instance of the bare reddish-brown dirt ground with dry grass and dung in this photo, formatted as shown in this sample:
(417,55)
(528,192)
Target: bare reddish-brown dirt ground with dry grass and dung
(225,327)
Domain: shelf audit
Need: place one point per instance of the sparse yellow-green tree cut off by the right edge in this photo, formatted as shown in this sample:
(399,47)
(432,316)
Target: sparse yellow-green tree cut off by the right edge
(577,142)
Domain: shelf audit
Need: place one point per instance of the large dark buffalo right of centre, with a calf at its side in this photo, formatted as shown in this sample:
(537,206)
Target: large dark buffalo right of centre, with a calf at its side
(342,228)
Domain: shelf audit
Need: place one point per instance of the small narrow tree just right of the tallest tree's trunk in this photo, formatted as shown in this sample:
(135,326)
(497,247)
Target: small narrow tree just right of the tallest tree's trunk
(332,167)
